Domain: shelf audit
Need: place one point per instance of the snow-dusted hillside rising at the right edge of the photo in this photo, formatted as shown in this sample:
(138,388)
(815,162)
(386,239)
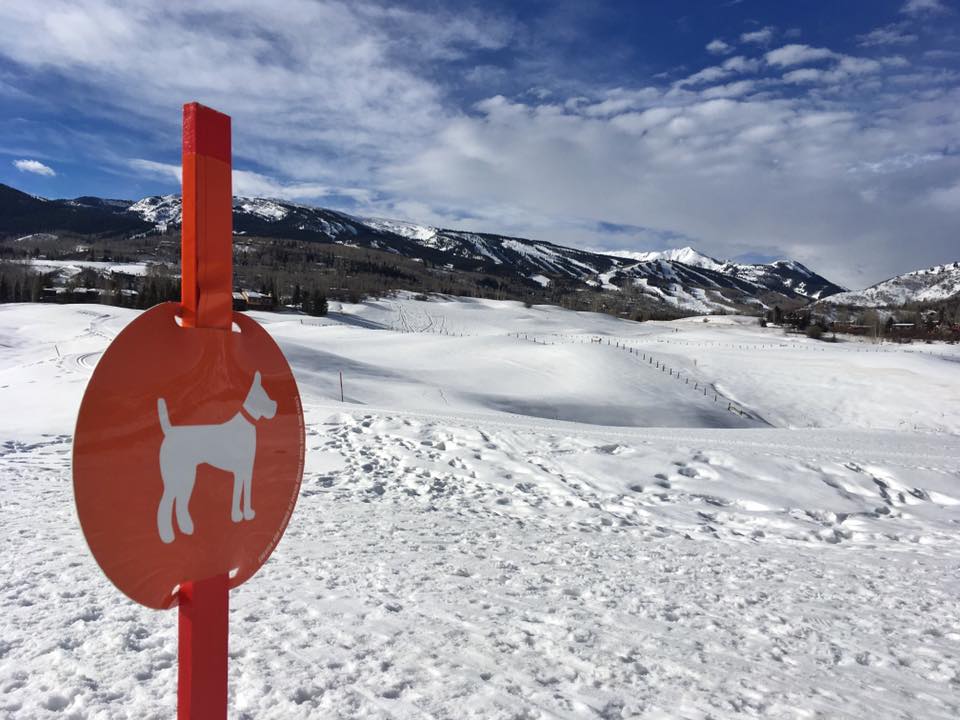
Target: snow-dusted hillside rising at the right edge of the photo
(931,285)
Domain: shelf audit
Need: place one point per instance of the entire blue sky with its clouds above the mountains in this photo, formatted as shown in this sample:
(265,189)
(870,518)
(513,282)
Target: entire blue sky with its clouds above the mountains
(828,132)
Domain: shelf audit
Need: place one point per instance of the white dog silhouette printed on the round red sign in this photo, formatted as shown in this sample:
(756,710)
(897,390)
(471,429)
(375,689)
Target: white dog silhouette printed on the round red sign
(230,446)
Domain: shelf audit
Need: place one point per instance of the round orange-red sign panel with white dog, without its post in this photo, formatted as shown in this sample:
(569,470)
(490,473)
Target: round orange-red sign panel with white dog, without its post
(188,454)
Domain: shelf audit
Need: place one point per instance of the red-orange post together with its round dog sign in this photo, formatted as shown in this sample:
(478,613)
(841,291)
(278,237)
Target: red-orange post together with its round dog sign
(189,446)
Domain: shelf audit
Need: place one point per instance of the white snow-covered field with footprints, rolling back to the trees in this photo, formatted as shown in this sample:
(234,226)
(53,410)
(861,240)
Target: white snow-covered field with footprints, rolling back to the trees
(529,513)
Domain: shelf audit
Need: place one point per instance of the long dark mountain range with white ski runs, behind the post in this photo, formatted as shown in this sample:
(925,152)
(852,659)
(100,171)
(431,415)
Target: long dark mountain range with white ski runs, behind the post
(682,279)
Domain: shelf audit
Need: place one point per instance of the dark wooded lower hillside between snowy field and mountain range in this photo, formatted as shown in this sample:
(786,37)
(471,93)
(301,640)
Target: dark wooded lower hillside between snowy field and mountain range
(297,273)
